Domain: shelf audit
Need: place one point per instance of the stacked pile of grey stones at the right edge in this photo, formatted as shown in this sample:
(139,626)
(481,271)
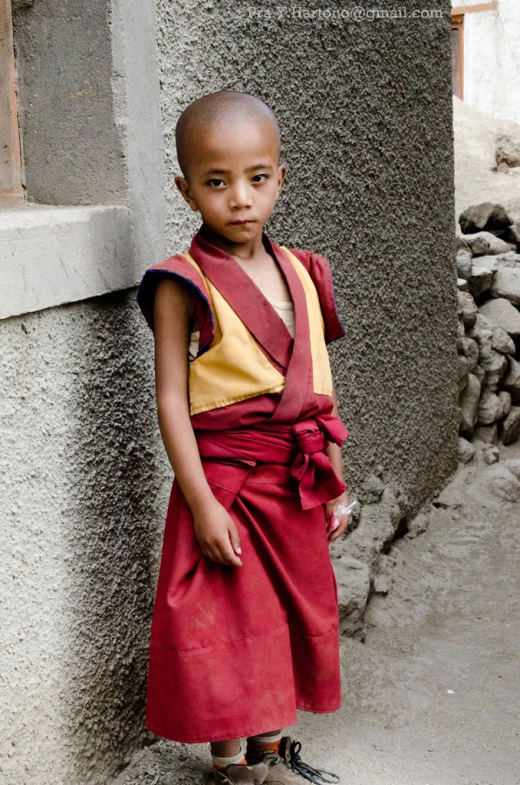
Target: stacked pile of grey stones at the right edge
(488,269)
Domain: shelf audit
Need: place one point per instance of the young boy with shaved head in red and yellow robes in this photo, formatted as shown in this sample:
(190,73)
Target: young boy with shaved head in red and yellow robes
(245,624)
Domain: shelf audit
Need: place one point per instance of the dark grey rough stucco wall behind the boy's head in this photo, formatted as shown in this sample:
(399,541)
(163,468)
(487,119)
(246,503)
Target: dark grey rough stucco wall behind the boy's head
(366,115)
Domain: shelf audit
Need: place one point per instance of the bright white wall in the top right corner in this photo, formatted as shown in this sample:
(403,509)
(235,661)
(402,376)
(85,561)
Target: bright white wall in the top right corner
(491,69)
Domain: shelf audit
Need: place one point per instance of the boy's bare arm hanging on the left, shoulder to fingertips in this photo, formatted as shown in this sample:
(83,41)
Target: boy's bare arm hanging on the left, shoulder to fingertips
(215,530)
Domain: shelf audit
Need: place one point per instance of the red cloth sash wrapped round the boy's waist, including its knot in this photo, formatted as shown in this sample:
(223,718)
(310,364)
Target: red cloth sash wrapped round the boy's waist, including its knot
(299,448)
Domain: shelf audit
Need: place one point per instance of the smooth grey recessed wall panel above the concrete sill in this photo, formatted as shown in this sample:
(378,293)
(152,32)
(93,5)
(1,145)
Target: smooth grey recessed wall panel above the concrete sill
(72,150)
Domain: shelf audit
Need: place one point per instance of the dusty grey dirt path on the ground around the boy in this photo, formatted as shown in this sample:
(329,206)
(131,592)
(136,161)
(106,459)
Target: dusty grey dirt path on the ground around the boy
(433,695)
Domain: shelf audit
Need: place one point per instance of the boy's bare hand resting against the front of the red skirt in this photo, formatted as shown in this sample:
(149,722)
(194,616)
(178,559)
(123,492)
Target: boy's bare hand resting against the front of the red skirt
(217,534)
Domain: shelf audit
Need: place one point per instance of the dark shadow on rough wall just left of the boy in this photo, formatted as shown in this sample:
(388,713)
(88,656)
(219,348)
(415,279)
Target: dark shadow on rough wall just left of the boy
(111,534)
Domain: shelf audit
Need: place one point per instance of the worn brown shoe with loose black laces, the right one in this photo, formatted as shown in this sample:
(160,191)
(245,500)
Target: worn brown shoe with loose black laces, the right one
(287,768)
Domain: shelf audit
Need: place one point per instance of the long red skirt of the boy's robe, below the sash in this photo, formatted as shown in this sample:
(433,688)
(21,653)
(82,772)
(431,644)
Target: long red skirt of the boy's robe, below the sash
(234,651)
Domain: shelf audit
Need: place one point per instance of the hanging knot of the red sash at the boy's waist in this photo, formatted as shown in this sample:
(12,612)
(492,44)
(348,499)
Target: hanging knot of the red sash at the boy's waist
(317,480)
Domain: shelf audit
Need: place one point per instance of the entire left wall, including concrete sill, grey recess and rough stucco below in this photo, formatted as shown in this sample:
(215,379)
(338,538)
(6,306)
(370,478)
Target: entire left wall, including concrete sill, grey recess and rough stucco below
(84,478)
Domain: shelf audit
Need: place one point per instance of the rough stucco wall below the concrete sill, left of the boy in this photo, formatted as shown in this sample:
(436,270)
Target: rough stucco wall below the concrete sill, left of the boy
(84,484)
